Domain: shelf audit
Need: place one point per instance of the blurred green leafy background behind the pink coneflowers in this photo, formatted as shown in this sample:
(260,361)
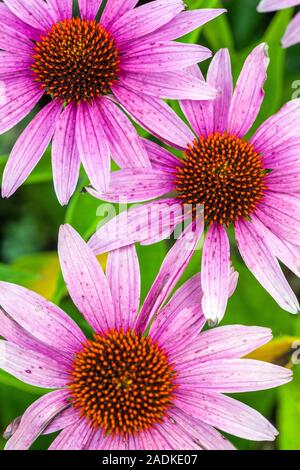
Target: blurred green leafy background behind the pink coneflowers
(31,218)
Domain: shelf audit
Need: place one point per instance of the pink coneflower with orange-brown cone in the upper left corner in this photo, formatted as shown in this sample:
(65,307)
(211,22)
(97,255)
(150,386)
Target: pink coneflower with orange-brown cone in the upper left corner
(86,70)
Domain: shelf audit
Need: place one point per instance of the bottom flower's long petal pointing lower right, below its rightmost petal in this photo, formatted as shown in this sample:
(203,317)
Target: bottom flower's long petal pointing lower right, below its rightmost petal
(228,415)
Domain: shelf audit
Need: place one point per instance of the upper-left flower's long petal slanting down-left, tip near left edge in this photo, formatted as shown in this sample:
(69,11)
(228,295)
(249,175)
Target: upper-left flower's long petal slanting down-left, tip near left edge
(29,148)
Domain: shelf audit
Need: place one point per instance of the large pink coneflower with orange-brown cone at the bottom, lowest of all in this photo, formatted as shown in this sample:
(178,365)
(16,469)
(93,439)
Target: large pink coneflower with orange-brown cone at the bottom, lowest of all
(143,381)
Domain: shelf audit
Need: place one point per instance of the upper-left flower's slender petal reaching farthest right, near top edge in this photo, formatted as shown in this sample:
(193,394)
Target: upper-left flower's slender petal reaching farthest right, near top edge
(184,23)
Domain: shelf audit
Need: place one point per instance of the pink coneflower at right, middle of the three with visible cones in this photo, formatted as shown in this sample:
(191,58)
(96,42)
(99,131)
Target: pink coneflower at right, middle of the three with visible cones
(249,184)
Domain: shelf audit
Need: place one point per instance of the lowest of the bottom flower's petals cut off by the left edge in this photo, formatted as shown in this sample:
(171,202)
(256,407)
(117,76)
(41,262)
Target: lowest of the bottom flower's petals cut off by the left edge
(32,367)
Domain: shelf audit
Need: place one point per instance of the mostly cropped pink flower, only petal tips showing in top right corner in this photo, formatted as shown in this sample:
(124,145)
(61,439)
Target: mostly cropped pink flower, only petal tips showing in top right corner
(292,34)
